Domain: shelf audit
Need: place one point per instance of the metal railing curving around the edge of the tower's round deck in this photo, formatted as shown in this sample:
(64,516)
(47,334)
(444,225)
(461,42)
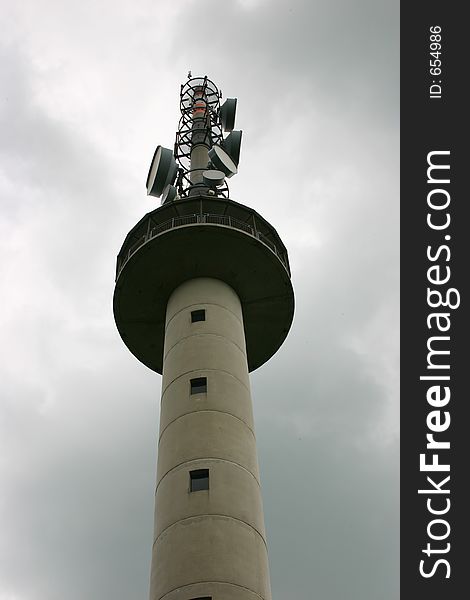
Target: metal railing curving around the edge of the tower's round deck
(183,221)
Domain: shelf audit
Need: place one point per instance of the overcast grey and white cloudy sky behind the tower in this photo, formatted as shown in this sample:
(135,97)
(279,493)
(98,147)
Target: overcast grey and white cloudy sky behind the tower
(87,90)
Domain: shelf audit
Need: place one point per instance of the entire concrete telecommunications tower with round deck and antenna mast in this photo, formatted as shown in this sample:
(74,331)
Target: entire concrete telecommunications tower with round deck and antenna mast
(203,296)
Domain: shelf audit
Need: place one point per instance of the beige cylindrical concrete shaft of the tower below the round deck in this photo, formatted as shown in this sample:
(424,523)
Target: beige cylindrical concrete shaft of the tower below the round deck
(210,542)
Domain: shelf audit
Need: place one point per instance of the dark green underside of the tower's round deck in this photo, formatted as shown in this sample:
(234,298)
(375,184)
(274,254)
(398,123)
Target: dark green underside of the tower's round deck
(203,250)
